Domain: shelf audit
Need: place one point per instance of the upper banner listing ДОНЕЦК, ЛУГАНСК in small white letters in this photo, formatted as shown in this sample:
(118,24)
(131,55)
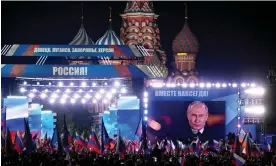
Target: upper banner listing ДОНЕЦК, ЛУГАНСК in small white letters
(72,50)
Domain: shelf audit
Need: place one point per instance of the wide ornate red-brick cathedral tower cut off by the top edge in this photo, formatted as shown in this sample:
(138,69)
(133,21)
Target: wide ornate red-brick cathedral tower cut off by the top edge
(139,27)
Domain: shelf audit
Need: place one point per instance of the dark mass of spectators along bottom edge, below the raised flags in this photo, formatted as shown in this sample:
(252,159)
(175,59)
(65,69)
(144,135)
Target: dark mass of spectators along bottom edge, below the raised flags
(154,156)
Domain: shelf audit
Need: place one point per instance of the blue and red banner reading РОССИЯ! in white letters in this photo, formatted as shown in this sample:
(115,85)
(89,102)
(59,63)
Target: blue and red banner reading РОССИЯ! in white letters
(71,71)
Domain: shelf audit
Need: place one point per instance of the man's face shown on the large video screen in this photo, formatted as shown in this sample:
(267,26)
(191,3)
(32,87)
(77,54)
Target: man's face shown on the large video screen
(197,116)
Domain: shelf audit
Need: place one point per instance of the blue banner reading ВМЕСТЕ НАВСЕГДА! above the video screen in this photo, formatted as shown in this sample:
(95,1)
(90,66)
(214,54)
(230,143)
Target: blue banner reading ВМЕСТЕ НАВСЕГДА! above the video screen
(189,94)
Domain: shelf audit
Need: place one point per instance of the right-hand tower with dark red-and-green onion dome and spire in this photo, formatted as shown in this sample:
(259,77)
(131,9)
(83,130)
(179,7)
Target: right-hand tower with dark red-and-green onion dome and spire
(185,48)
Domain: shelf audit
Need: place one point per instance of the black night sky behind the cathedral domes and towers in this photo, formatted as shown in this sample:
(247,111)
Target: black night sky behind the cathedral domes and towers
(237,39)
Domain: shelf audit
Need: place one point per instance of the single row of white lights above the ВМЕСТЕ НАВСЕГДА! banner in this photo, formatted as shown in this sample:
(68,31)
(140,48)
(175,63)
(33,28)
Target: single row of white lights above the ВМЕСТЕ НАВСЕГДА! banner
(207,85)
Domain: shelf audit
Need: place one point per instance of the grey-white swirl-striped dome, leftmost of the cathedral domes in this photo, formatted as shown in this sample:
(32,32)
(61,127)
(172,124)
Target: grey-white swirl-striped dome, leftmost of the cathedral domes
(81,38)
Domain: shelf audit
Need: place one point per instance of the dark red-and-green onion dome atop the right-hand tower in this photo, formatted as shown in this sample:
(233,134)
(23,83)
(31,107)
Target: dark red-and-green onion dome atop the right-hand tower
(185,41)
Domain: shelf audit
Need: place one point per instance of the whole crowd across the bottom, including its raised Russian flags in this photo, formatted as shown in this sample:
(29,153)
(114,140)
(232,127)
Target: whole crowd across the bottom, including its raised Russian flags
(62,150)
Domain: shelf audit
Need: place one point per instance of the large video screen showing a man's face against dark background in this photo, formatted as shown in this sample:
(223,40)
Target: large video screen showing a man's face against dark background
(183,119)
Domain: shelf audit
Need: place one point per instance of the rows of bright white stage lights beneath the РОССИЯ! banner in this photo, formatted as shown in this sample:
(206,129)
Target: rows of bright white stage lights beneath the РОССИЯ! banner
(70,92)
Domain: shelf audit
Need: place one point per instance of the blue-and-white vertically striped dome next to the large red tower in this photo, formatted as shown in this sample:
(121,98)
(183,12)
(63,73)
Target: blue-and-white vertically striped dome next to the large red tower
(109,38)
